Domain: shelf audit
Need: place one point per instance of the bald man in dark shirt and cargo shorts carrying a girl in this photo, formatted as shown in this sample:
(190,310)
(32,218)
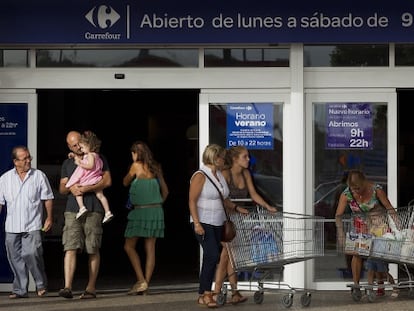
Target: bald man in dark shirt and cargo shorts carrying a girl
(83,234)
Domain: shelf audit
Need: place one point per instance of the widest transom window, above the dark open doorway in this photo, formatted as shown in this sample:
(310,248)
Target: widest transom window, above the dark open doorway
(118,58)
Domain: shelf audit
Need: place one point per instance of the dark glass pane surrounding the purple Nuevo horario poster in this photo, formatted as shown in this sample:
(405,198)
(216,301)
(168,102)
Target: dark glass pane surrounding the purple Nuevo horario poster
(330,169)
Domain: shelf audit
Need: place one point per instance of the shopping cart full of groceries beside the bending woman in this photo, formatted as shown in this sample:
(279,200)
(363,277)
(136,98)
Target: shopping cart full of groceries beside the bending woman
(395,245)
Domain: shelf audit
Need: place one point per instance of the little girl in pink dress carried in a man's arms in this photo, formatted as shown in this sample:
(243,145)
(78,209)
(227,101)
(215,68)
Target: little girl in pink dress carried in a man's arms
(89,172)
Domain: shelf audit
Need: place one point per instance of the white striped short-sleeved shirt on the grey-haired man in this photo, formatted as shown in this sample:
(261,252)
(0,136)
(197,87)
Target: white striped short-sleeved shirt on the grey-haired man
(23,199)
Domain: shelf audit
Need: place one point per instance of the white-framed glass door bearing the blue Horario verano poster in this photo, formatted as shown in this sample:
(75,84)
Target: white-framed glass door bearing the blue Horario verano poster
(255,121)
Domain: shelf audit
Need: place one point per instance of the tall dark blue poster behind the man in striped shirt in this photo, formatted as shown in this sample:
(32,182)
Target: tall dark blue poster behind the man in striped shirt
(13,132)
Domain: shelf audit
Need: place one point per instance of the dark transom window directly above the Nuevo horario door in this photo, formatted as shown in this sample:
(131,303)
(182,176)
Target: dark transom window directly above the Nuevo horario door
(346,55)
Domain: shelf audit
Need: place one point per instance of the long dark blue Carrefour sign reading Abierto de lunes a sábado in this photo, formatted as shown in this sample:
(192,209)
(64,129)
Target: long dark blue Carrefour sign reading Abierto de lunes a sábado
(201,22)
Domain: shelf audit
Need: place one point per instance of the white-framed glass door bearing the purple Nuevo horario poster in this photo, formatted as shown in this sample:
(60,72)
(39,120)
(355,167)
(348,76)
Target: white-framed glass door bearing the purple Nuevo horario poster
(346,130)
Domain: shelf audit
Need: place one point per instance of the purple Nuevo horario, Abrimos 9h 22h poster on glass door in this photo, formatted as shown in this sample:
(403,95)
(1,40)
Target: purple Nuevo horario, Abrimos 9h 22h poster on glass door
(349,126)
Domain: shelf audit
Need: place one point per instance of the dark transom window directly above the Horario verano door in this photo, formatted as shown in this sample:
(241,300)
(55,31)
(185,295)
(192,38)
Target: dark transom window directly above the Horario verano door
(271,57)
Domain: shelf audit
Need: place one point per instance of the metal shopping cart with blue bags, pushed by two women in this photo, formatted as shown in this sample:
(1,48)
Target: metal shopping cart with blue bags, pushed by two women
(265,242)
